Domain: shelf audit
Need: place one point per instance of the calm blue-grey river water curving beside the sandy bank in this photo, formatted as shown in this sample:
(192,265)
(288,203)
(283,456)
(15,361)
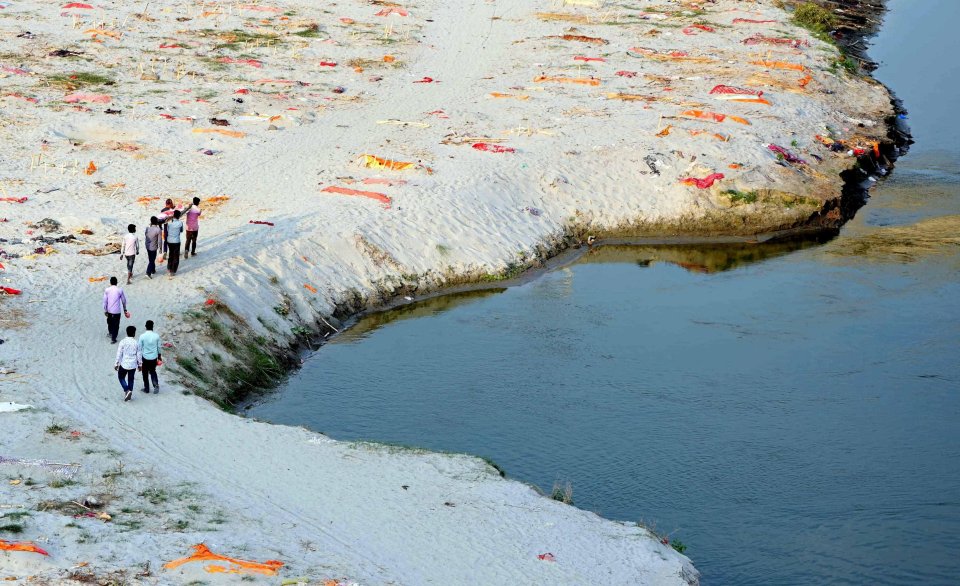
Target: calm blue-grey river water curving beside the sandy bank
(789,412)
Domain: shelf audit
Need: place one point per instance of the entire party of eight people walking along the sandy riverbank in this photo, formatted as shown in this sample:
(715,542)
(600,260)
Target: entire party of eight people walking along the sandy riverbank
(164,236)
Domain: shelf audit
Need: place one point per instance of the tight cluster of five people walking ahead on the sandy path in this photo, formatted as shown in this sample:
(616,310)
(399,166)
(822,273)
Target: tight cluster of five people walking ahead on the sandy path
(164,236)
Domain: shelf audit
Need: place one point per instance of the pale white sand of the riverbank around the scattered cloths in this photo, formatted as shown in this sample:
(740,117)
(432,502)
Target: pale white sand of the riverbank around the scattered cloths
(332,510)
